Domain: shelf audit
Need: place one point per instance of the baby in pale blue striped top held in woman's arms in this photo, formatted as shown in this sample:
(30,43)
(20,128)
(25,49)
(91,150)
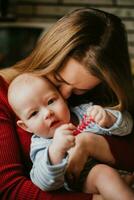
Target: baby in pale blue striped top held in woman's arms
(42,111)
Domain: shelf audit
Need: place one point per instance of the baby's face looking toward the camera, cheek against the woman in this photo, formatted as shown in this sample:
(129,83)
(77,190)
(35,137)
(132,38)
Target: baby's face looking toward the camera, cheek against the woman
(42,108)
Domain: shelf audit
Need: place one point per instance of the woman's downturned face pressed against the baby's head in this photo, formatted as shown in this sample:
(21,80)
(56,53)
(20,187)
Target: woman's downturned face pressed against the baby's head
(73,78)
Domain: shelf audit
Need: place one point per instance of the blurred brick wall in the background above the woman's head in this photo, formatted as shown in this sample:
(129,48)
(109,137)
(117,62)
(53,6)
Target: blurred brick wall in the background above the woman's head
(51,10)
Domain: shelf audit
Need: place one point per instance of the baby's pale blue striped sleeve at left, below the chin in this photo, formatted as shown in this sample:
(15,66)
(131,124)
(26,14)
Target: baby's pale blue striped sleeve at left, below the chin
(46,176)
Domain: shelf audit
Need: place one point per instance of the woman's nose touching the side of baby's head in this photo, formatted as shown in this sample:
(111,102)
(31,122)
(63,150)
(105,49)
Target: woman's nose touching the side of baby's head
(66,90)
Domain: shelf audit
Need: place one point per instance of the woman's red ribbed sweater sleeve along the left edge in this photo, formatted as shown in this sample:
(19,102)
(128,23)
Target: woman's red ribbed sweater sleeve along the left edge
(13,180)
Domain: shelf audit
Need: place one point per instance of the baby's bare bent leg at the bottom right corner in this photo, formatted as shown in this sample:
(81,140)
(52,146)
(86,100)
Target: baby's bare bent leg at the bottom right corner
(104,180)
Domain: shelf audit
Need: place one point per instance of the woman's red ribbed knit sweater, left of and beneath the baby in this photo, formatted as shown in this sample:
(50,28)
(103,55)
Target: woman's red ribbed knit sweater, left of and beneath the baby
(15,163)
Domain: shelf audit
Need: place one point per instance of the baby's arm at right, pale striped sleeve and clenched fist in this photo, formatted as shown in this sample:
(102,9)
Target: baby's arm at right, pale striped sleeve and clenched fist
(111,121)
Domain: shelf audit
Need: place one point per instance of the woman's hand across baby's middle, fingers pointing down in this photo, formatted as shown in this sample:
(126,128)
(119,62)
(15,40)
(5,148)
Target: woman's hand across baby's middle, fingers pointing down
(78,156)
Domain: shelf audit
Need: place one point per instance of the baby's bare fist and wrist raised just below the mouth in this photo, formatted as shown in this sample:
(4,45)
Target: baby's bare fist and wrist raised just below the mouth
(63,140)
